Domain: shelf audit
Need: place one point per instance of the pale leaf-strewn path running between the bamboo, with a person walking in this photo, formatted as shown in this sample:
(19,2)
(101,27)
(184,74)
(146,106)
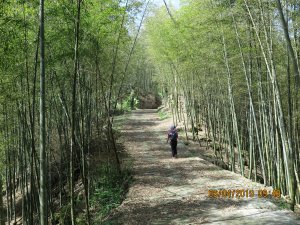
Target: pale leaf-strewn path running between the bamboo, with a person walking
(175,191)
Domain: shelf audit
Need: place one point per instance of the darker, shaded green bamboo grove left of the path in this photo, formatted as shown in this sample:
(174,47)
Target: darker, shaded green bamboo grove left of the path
(84,51)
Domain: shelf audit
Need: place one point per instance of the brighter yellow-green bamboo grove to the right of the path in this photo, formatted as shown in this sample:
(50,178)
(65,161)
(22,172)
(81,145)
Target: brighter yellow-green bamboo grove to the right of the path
(233,67)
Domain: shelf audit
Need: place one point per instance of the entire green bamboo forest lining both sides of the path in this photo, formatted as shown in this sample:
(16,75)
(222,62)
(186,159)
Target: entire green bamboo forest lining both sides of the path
(68,66)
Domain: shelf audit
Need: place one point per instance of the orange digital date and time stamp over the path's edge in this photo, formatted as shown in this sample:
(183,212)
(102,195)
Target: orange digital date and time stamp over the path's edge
(243,193)
